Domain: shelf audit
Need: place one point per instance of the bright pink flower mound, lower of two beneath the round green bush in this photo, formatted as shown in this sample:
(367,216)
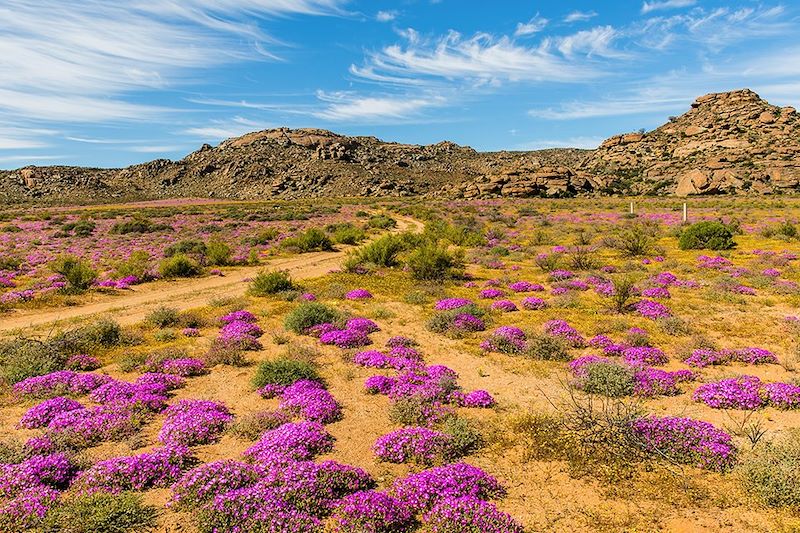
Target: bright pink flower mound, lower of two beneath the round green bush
(299,441)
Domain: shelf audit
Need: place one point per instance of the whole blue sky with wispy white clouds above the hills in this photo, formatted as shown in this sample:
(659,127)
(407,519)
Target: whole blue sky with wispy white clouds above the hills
(109,83)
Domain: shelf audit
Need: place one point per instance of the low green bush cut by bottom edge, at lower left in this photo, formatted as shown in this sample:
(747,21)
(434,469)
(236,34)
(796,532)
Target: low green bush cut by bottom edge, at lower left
(100,513)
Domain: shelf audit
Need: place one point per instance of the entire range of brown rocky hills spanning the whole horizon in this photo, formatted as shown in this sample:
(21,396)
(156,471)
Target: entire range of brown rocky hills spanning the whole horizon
(726,143)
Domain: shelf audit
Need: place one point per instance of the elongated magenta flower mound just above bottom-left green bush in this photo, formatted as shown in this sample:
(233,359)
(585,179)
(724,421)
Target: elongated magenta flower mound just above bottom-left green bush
(157,468)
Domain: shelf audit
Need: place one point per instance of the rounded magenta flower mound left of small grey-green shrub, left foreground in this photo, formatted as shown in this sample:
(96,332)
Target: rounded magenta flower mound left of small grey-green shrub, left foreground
(191,422)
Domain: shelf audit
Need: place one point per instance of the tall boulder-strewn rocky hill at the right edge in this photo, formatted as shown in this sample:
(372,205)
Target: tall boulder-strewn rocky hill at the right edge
(732,142)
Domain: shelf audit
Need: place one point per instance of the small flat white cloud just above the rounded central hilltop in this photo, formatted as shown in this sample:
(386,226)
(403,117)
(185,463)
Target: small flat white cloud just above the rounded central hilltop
(345,106)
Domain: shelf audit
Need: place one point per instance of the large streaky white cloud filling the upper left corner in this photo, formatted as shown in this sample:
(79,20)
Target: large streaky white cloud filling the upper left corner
(81,61)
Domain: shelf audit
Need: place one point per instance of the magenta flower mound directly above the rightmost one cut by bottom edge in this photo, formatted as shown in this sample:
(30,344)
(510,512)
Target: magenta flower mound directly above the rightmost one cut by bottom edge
(423,490)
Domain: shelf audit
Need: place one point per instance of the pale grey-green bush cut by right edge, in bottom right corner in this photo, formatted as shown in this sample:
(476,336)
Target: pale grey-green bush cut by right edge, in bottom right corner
(771,473)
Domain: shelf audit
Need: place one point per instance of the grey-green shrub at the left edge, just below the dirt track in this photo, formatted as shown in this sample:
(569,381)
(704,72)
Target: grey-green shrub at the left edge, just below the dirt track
(24,358)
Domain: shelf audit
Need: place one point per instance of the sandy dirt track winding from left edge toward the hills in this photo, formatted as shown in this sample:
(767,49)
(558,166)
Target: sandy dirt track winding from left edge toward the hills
(132,306)
